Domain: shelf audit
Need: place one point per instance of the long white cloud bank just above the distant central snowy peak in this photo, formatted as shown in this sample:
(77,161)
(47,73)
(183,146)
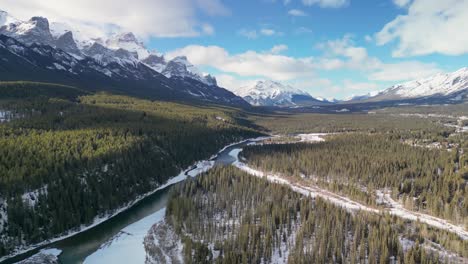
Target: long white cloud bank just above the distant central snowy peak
(248,64)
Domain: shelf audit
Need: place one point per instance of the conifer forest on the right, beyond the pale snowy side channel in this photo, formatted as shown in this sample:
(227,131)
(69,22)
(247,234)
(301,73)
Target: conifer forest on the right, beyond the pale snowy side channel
(431,180)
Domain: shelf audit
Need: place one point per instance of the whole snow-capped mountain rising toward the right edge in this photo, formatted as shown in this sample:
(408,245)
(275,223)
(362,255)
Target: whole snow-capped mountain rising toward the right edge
(447,86)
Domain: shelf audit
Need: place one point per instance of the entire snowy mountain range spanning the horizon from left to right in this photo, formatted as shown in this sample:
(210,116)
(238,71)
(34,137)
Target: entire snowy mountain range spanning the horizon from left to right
(36,50)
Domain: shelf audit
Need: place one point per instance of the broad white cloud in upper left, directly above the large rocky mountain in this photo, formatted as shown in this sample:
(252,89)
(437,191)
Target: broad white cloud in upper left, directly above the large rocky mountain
(159,18)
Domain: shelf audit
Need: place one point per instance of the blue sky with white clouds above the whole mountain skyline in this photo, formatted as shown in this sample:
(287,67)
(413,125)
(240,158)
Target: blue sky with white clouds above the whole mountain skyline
(329,48)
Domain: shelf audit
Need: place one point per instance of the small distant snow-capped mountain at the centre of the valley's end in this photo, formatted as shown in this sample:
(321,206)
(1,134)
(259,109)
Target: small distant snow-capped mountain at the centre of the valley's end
(271,93)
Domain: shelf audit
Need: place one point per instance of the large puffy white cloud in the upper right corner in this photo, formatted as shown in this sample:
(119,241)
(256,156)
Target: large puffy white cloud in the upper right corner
(431,26)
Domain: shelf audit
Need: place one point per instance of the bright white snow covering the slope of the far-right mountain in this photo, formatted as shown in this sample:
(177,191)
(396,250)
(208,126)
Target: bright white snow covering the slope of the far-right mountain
(440,84)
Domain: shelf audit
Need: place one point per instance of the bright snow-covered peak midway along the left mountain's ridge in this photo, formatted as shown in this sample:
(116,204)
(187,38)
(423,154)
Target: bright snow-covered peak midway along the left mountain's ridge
(128,41)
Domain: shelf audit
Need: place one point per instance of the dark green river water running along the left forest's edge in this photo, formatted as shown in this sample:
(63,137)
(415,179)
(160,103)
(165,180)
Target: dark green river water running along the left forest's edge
(80,247)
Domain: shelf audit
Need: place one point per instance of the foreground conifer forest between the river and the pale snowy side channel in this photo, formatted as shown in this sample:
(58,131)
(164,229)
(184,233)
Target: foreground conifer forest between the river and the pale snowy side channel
(228,216)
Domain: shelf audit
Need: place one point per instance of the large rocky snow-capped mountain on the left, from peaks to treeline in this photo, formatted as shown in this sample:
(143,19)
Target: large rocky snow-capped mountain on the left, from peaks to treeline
(122,62)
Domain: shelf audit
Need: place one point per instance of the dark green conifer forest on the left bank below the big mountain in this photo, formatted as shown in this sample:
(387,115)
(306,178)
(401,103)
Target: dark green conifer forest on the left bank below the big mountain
(68,156)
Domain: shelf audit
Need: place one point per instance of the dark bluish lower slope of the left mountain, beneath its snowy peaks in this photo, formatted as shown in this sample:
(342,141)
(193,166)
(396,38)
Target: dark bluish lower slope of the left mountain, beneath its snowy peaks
(46,64)
